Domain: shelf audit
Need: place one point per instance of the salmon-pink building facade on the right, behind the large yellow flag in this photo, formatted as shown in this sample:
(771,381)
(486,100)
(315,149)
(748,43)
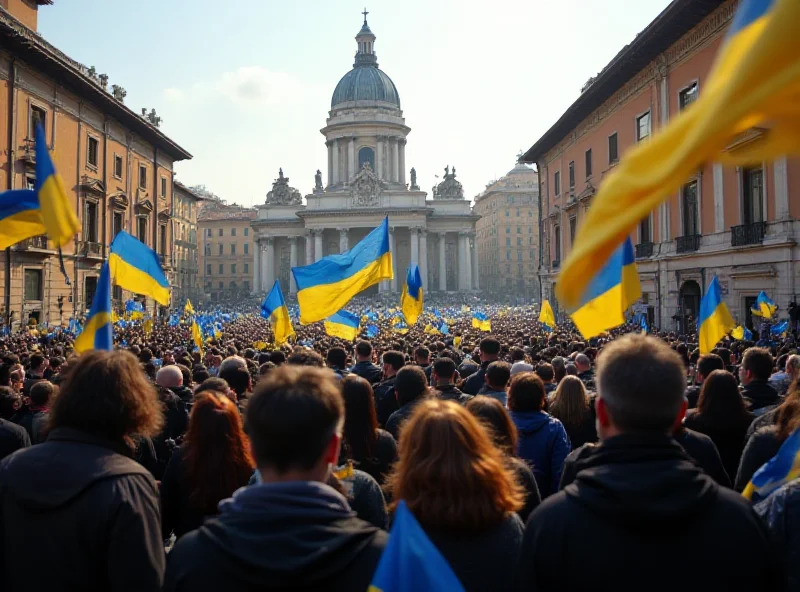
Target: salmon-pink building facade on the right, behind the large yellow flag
(671,272)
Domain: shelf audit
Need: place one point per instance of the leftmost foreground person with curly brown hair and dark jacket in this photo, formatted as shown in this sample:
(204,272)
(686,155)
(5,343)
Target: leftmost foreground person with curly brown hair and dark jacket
(82,479)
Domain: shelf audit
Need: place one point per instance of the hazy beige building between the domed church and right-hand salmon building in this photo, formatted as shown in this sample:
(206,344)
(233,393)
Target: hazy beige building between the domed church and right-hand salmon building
(507,235)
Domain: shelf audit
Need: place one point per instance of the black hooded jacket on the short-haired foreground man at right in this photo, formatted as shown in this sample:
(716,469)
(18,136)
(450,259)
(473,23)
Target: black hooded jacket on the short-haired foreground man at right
(636,509)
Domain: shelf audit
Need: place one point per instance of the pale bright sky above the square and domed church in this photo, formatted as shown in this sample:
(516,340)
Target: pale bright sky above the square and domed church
(245,86)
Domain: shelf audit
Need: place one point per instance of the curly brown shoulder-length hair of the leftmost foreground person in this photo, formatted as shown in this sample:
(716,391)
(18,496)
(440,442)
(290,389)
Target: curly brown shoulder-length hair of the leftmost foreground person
(106,394)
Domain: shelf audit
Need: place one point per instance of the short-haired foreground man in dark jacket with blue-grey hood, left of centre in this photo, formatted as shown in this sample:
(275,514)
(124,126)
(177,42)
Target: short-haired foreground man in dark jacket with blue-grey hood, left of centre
(291,530)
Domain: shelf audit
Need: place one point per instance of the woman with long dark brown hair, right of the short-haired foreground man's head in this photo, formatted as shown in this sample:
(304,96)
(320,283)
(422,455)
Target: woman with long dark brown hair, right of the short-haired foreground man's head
(722,415)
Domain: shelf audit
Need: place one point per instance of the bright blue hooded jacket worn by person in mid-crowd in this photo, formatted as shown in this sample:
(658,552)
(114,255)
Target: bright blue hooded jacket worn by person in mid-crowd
(544,445)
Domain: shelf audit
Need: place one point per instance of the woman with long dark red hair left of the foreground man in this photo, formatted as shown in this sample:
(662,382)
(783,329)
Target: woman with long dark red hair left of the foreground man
(213,462)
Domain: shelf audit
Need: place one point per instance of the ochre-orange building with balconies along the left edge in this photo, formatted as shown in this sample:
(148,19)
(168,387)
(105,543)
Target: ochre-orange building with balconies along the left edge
(117,167)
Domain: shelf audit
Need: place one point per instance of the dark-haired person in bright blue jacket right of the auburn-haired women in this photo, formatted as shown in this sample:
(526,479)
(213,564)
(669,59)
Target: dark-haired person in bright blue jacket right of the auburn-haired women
(543,441)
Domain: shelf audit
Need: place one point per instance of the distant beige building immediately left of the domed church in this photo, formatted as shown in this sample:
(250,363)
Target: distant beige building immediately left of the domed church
(226,250)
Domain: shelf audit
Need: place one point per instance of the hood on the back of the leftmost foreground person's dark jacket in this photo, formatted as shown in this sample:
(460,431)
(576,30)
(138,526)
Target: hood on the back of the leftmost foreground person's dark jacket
(50,475)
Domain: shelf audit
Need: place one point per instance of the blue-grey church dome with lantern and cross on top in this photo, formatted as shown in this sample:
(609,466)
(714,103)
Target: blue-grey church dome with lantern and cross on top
(365,82)
